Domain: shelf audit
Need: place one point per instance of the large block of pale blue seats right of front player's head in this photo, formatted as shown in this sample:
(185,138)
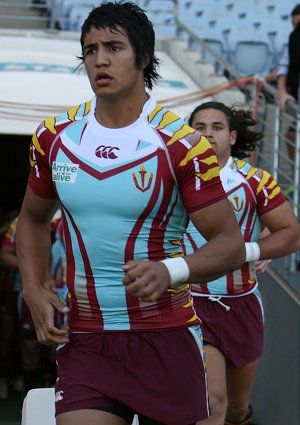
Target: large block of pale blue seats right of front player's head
(250,34)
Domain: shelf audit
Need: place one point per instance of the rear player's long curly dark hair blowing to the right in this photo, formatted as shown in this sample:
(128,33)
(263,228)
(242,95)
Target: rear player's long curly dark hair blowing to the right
(239,120)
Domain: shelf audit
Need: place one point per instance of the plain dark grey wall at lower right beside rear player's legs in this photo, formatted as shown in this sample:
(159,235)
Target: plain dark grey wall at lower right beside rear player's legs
(276,399)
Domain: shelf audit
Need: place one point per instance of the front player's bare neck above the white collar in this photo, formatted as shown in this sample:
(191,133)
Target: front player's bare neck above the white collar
(120,112)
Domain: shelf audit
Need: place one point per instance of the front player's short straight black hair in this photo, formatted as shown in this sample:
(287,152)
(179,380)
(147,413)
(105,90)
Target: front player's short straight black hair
(133,20)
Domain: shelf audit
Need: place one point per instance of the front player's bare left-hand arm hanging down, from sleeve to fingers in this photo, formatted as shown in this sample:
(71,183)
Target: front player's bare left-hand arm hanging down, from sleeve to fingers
(33,244)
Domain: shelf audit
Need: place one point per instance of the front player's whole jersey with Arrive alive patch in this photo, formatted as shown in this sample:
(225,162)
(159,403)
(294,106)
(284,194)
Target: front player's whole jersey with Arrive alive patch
(125,195)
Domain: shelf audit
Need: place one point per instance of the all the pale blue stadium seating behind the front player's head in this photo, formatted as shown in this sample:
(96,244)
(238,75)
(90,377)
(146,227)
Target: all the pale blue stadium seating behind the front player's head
(250,34)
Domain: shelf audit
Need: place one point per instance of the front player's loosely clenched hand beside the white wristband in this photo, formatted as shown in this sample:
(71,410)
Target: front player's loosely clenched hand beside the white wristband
(146,280)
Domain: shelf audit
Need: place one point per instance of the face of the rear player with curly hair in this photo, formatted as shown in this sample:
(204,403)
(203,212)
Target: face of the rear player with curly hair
(213,124)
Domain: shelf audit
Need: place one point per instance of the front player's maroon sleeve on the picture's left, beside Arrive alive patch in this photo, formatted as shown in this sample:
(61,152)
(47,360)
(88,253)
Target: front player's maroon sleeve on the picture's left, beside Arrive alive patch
(40,177)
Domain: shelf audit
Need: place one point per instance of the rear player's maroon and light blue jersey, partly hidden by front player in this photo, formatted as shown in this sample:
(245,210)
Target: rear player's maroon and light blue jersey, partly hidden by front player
(250,196)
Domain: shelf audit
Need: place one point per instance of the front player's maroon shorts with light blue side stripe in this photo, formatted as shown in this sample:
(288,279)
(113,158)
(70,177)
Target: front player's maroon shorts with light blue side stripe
(159,375)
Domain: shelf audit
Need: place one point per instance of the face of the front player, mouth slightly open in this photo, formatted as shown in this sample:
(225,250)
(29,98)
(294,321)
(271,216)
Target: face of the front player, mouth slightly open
(110,64)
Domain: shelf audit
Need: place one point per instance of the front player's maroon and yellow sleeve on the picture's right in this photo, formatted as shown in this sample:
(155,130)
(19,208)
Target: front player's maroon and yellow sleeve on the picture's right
(199,174)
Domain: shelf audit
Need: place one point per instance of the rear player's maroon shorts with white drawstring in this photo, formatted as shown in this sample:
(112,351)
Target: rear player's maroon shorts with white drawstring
(239,332)
